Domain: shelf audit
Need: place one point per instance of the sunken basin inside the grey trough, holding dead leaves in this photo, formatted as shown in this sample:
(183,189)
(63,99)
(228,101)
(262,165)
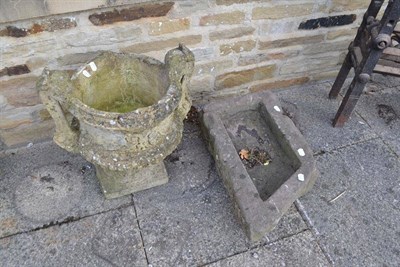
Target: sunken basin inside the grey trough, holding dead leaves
(249,130)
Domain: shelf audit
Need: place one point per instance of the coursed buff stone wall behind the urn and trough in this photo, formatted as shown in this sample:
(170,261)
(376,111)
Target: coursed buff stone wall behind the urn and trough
(241,46)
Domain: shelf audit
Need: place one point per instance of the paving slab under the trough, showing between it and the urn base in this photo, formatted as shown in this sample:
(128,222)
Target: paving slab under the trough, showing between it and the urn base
(191,221)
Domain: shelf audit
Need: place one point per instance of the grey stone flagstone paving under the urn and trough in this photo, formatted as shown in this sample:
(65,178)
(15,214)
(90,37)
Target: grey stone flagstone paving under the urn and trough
(350,217)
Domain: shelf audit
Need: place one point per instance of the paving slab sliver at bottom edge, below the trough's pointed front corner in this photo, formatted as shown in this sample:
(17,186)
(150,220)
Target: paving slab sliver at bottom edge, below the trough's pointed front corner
(297,250)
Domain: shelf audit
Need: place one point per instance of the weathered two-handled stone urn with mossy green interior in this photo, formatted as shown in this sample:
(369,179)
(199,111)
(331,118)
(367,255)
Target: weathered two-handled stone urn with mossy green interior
(123,113)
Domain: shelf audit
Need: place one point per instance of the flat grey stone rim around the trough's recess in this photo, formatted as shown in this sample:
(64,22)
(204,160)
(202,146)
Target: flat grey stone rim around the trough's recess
(245,189)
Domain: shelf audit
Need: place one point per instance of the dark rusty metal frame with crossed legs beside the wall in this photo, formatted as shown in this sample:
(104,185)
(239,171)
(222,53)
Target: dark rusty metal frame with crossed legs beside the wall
(371,51)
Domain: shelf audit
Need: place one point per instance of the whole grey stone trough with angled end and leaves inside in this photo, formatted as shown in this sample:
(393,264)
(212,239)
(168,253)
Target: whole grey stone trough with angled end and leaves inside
(262,192)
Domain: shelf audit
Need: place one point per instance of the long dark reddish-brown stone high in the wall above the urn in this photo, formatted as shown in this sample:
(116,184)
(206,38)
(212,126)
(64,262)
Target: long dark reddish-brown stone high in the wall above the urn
(133,13)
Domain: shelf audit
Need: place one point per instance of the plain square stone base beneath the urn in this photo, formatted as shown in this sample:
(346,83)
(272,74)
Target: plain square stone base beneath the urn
(120,183)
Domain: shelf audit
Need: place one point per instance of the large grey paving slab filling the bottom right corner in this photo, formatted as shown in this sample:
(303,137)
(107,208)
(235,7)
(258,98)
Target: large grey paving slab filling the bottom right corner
(354,206)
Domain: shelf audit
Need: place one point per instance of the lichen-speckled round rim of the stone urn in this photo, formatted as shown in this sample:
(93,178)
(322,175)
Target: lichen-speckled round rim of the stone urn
(141,117)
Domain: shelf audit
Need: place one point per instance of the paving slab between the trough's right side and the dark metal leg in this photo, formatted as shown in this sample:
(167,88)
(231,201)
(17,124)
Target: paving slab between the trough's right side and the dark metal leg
(312,112)
